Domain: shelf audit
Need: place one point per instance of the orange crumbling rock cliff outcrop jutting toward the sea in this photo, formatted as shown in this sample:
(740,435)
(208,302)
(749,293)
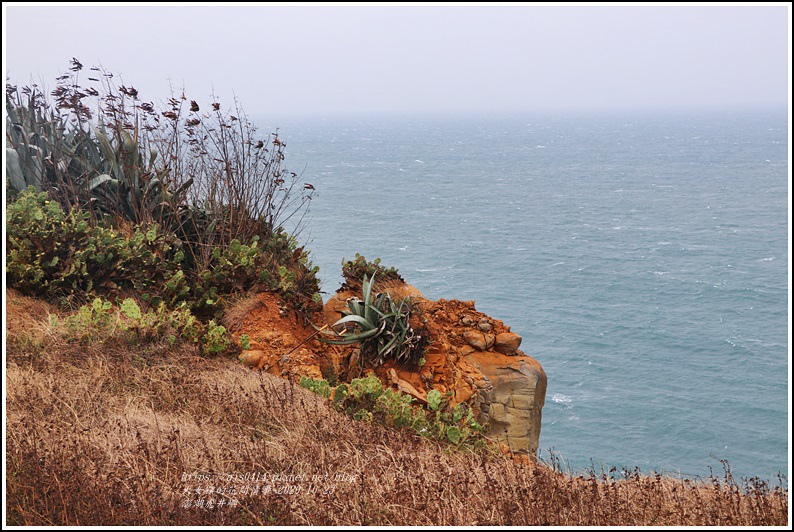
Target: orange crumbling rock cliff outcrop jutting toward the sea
(472,358)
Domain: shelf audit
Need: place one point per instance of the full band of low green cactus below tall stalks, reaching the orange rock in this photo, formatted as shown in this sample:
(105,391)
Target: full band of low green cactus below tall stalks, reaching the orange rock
(62,255)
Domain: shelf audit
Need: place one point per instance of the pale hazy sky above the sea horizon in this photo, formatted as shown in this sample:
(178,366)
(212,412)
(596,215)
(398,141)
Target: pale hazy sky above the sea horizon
(407,59)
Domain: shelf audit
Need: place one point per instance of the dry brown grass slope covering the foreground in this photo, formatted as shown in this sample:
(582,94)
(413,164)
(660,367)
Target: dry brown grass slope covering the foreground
(108,434)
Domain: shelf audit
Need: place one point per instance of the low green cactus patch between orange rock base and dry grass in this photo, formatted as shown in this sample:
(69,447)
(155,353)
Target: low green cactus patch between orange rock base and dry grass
(365,399)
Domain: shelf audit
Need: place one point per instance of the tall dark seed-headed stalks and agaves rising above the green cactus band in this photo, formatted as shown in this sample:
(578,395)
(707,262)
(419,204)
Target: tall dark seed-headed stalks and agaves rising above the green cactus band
(207,176)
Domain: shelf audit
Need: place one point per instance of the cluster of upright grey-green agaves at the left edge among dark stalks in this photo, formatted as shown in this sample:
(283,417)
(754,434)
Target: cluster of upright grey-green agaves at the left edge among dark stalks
(80,162)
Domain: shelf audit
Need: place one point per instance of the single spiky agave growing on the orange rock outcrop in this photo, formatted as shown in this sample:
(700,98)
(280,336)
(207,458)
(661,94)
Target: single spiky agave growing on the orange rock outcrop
(381,325)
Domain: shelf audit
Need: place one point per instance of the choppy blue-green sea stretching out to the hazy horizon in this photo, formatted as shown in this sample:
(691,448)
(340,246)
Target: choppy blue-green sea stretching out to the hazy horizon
(643,258)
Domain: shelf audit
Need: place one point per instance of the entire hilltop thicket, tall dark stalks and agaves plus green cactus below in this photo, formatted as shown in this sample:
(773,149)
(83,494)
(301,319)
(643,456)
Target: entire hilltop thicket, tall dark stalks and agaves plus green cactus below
(110,195)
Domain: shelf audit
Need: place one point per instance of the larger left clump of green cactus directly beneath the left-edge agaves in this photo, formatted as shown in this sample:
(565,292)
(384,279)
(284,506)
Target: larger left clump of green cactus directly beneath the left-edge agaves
(60,255)
